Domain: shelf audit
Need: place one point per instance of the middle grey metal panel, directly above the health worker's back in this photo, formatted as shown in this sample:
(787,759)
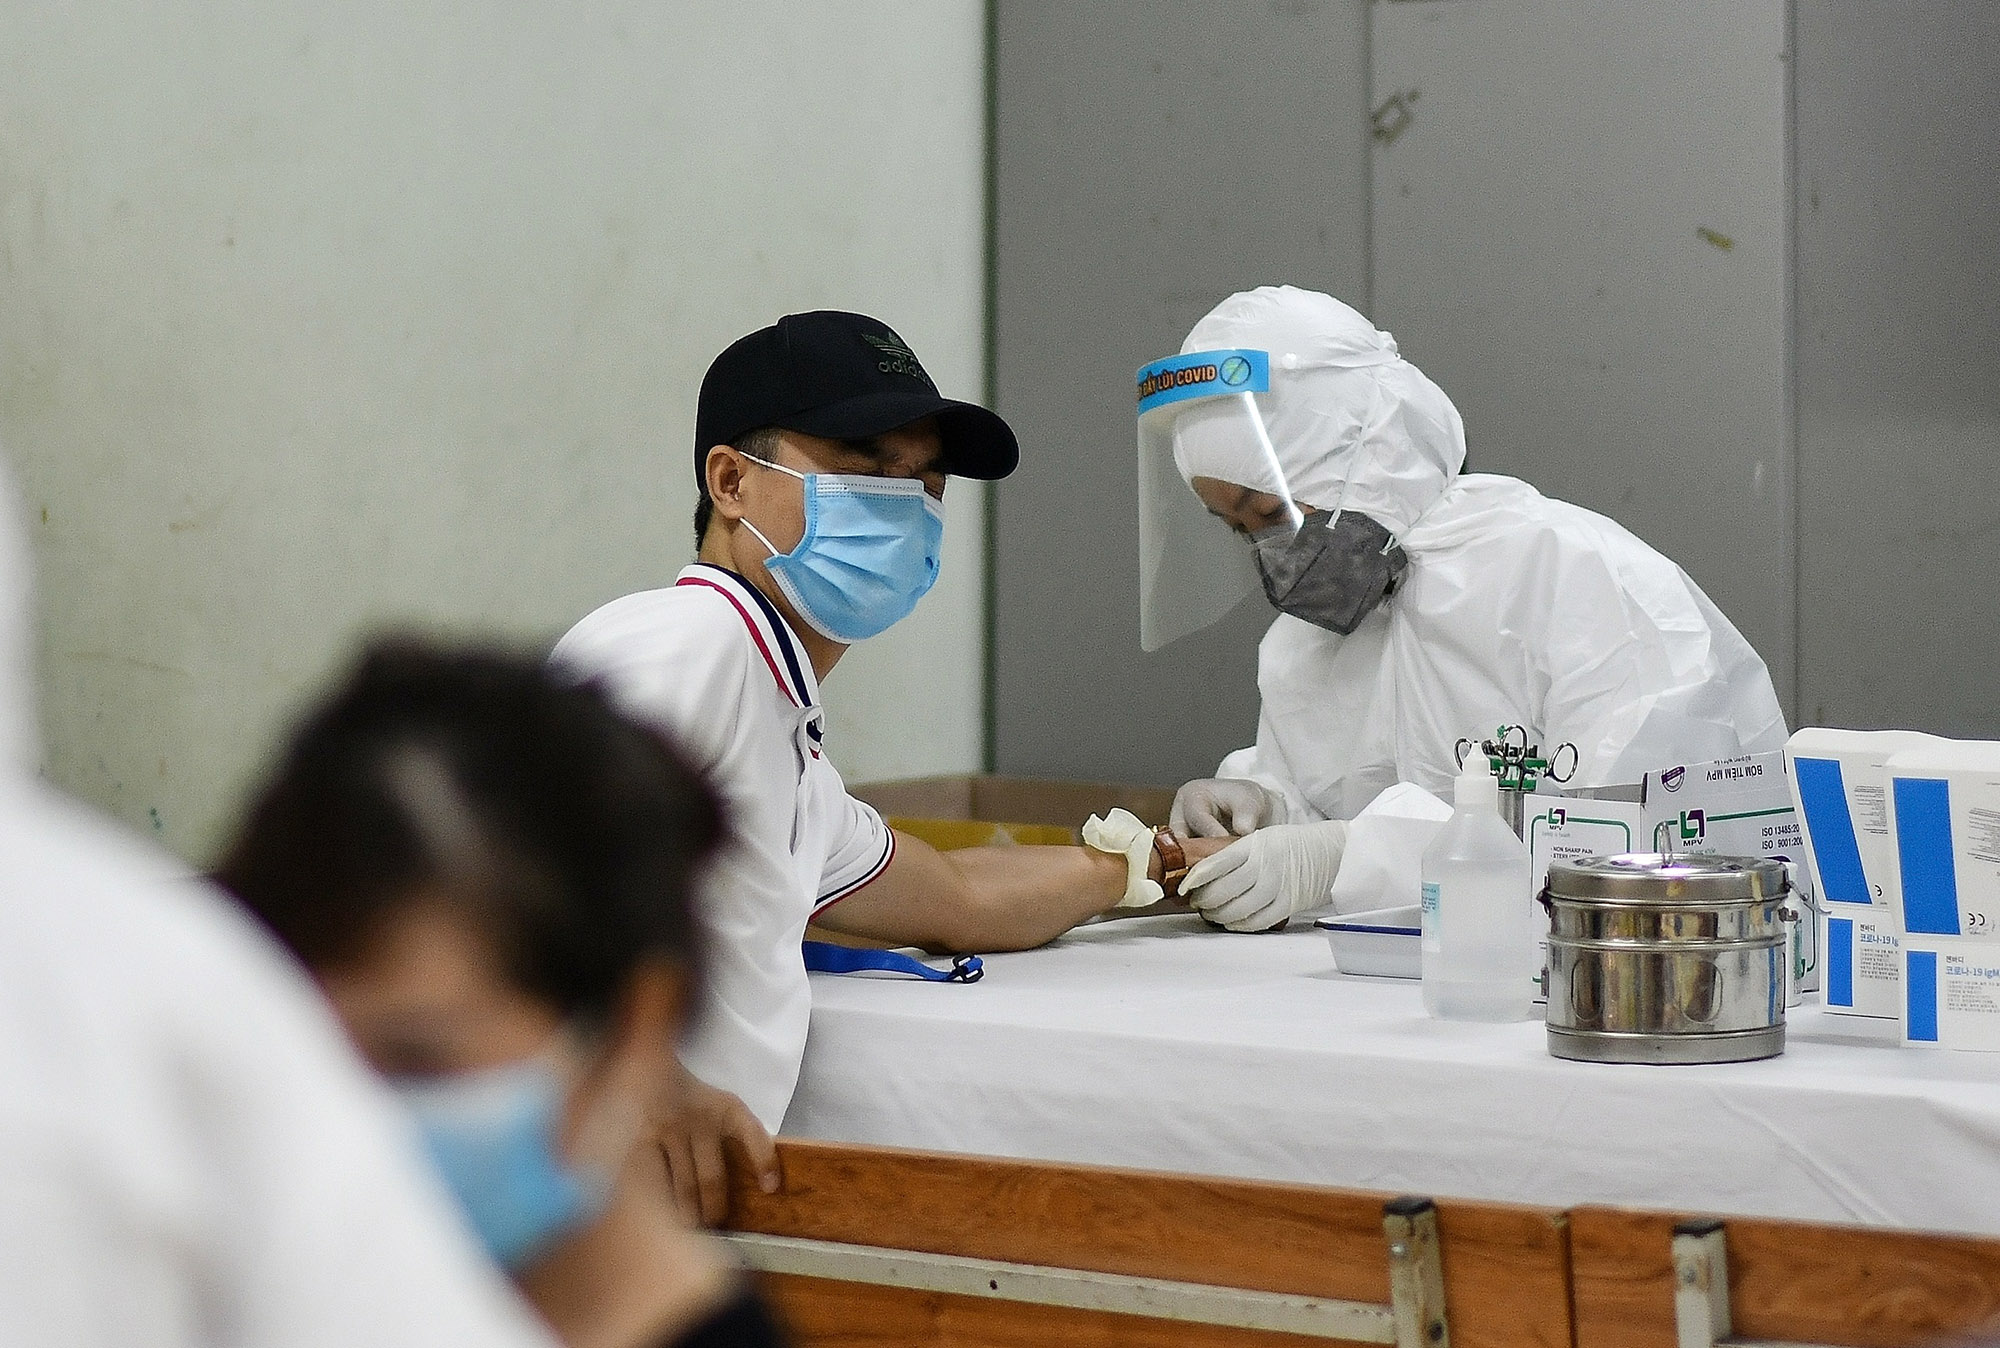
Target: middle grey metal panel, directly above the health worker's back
(1581,235)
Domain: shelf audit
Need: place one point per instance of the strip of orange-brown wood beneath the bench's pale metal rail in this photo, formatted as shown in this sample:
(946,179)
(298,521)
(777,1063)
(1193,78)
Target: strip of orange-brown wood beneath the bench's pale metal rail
(845,1315)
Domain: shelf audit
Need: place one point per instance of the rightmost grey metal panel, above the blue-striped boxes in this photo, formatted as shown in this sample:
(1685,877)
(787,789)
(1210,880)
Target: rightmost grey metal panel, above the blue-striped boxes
(1899,363)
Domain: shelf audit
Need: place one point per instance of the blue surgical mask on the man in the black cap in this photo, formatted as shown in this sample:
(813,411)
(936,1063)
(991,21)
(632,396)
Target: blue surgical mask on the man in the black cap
(871,553)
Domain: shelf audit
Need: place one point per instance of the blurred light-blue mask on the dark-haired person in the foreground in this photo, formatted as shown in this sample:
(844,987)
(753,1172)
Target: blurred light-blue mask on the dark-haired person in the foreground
(493,1137)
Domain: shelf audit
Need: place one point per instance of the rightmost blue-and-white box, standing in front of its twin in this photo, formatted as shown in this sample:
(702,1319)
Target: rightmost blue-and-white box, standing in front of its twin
(1945,821)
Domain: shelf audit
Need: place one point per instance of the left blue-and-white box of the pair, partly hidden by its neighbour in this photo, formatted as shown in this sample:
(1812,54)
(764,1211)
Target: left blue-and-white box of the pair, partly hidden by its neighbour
(1843,801)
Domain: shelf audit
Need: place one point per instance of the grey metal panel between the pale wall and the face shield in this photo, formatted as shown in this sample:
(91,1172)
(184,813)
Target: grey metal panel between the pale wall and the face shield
(1151,161)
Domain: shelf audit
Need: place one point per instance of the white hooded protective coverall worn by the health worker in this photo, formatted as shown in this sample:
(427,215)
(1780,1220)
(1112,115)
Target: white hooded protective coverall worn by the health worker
(1517,609)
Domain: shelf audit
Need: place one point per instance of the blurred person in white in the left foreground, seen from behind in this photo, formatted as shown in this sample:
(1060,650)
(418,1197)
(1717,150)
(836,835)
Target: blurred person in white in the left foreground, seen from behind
(189,1151)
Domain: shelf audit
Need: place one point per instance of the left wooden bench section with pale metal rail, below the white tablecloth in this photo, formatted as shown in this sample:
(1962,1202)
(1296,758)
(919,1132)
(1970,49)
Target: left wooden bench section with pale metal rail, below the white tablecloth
(915,1249)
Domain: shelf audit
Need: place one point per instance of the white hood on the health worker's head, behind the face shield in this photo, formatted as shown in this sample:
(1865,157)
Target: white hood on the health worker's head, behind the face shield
(1353,423)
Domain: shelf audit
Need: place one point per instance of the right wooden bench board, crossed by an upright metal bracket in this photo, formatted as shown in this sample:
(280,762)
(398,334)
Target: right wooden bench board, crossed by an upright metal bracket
(1789,1281)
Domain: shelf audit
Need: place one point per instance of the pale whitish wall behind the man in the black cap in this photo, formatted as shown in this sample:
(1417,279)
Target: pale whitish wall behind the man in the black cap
(319,319)
